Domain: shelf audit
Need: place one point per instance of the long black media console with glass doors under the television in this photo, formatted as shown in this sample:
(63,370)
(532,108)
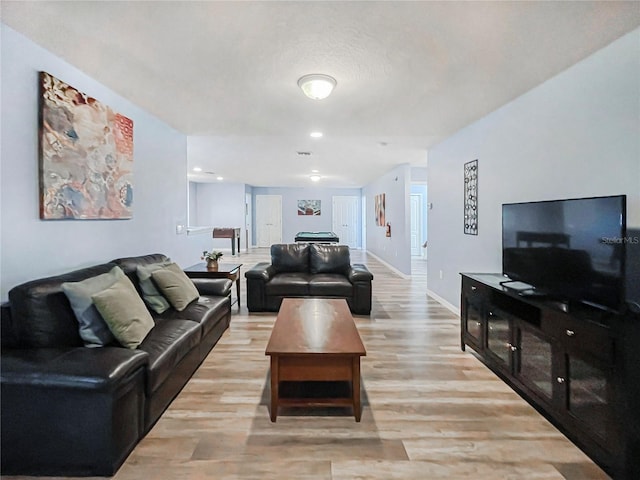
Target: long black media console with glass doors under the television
(578,366)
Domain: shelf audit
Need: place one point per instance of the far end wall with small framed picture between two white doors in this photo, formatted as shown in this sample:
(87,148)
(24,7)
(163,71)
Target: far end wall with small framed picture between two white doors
(293,223)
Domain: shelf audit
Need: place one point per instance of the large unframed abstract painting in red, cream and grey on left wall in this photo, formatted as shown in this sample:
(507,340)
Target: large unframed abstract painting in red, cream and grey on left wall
(86,156)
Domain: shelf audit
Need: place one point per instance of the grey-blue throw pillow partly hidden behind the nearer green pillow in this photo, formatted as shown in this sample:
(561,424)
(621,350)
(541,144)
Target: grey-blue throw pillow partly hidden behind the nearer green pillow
(93,329)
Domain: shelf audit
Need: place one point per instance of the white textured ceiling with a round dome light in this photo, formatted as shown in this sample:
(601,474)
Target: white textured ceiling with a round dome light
(409,73)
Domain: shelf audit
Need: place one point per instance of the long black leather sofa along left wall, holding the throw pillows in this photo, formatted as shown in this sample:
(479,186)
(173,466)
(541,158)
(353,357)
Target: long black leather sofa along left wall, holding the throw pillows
(71,410)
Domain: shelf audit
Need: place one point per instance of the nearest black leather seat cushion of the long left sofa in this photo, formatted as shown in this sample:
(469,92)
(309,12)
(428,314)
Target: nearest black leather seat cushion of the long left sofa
(167,343)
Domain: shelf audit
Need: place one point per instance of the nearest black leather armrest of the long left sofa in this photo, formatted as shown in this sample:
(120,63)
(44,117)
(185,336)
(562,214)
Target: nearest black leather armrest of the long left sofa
(70,411)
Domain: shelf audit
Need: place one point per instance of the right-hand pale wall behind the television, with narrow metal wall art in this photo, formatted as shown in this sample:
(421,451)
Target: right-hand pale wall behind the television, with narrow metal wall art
(576,135)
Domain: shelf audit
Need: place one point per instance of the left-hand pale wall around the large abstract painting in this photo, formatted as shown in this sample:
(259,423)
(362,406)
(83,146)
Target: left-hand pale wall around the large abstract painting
(32,248)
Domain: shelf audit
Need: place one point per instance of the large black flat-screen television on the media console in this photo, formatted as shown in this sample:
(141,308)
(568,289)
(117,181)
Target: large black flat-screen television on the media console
(571,250)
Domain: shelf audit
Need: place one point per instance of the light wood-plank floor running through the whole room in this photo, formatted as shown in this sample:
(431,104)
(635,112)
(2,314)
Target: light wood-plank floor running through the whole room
(430,410)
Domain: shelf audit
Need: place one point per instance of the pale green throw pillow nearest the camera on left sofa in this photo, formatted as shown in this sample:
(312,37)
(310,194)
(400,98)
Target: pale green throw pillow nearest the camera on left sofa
(125,313)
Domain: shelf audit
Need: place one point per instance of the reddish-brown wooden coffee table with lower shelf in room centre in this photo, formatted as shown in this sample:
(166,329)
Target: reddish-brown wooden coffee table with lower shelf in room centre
(315,340)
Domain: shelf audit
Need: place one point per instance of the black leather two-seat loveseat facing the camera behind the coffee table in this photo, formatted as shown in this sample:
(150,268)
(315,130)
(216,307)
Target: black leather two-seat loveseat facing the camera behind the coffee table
(308,270)
